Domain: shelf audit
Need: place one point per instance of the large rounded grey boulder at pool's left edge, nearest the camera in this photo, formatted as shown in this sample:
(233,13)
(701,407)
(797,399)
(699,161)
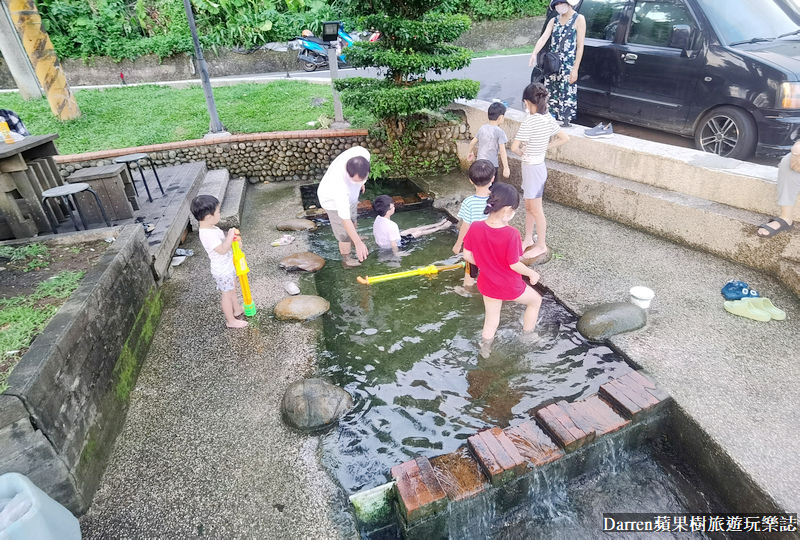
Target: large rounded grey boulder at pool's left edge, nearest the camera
(313,404)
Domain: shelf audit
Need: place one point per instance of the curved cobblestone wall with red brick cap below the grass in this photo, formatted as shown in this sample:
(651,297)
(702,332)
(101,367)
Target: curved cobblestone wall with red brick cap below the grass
(300,155)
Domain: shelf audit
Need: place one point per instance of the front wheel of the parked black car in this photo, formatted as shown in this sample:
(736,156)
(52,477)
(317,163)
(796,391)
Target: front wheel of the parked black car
(728,132)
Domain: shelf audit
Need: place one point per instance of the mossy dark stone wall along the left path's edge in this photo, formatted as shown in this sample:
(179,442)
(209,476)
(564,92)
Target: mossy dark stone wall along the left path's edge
(67,398)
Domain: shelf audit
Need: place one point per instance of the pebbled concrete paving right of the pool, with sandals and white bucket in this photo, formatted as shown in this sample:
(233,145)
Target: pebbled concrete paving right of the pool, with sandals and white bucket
(737,378)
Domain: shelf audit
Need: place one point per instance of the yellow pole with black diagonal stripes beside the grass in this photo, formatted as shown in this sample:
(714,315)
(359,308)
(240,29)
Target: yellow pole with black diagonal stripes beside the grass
(39,48)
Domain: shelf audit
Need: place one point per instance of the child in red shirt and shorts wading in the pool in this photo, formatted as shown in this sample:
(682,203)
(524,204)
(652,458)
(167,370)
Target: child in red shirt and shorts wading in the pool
(495,247)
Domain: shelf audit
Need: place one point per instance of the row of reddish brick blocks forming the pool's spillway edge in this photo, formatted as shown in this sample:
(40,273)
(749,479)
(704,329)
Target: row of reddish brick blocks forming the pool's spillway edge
(426,490)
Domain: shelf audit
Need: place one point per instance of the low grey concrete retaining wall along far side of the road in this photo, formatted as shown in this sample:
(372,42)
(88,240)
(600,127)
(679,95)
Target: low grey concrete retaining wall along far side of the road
(486,35)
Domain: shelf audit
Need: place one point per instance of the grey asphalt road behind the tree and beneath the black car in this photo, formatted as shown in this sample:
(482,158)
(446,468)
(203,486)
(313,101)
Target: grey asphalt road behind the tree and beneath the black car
(504,78)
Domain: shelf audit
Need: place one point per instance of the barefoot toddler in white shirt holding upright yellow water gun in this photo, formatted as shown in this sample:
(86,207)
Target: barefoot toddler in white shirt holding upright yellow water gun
(217,244)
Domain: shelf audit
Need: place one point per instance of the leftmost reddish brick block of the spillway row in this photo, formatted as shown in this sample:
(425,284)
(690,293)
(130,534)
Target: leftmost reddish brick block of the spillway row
(419,493)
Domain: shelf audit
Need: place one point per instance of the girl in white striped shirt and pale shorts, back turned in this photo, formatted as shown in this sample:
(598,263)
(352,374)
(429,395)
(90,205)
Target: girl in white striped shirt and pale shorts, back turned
(535,133)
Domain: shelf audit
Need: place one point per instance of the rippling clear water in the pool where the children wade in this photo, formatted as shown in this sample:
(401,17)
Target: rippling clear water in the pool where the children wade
(407,352)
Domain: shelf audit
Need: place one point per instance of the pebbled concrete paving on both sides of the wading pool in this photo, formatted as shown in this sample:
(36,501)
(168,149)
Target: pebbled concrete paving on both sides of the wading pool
(204,452)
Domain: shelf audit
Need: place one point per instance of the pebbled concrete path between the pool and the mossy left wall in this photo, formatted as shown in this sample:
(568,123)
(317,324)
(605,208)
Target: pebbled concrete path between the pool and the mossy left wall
(204,451)
